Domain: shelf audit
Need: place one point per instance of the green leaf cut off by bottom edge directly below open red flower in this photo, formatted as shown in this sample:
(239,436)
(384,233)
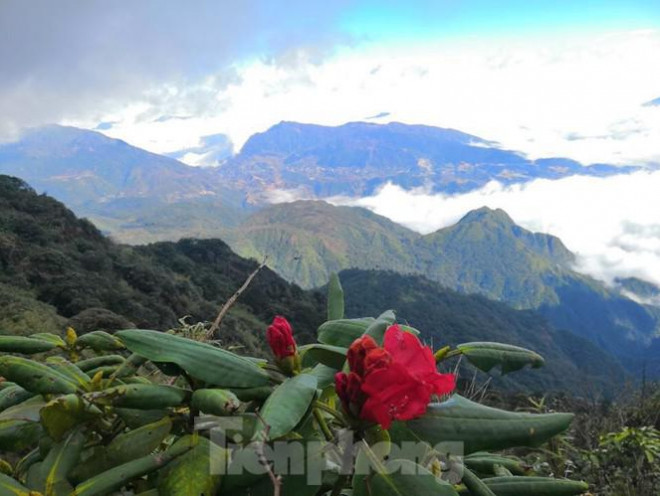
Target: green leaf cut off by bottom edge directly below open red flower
(401,478)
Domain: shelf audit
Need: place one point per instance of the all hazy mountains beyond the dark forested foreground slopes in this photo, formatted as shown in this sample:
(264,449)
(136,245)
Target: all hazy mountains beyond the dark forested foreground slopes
(137,196)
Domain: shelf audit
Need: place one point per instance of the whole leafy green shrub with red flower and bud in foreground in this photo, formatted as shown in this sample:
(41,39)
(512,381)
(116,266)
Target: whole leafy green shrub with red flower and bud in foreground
(157,413)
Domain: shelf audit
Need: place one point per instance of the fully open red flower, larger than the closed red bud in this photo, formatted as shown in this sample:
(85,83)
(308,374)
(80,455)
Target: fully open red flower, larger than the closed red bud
(390,383)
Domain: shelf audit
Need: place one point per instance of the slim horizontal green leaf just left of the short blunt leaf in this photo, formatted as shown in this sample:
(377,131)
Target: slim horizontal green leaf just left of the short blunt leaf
(147,396)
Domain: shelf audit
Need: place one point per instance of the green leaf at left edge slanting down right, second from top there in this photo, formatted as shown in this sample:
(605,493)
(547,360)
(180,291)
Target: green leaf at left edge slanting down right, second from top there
(35,377)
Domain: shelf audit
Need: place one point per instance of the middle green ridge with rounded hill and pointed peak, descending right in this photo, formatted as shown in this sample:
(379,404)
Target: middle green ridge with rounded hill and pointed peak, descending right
(485,253)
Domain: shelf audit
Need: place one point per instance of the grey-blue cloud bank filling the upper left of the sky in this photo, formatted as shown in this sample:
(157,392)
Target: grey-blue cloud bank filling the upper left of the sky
(78,61)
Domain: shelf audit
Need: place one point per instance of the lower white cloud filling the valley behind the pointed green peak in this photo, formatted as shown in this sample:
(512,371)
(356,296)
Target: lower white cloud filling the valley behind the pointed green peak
(611,223)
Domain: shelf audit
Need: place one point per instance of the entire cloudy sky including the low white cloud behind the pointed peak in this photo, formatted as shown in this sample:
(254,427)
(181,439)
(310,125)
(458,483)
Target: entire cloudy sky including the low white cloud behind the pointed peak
(195,79)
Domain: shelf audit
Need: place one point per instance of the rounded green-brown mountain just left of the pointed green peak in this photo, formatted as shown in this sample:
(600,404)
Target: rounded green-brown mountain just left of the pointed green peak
(307,240)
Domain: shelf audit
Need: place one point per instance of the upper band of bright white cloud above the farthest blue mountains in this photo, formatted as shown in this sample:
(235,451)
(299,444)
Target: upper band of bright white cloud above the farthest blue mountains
(579,97)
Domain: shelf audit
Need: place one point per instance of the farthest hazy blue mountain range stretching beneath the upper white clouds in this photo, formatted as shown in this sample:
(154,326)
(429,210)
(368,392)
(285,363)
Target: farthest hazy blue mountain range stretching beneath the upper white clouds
(138,196)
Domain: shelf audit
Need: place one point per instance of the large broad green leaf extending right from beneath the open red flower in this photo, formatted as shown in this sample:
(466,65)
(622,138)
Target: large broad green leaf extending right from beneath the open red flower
(479,427)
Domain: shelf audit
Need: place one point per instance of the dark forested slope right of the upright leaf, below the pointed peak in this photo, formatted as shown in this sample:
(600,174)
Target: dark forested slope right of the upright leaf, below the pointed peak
(452,318)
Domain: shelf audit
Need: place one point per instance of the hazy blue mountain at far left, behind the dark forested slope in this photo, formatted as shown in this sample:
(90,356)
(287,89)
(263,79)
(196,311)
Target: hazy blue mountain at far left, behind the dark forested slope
(121,187)
